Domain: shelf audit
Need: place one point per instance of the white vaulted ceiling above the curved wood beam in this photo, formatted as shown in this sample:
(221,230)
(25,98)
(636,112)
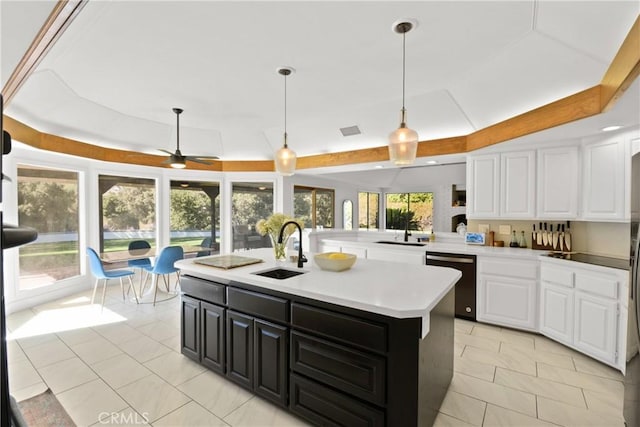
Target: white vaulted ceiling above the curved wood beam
(118,70)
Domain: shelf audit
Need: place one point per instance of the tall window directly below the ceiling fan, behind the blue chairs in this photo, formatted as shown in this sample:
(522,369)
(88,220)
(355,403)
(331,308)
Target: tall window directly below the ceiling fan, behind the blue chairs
(194,210)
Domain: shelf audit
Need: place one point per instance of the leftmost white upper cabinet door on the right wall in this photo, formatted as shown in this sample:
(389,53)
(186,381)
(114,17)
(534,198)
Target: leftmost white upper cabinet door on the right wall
(483,186)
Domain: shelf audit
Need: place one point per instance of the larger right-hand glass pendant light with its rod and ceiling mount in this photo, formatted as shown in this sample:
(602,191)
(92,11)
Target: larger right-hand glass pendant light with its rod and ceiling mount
(403,142)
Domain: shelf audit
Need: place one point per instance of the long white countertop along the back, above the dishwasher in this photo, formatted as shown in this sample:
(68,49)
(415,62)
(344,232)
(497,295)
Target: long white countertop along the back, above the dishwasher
(441,247)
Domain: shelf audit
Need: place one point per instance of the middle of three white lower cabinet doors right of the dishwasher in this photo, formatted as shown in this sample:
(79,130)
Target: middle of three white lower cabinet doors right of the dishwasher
(556,313)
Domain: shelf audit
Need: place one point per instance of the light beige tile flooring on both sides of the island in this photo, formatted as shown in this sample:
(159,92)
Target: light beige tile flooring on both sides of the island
(122,366)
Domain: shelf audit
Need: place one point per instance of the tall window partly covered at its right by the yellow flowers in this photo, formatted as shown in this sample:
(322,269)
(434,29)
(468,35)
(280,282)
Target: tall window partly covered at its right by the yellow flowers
(250,202)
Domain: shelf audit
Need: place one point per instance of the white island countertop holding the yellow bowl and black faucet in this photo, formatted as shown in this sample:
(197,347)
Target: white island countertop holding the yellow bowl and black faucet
(387,288)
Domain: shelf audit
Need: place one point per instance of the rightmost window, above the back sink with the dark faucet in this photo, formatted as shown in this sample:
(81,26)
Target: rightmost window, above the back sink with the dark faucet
(413,211)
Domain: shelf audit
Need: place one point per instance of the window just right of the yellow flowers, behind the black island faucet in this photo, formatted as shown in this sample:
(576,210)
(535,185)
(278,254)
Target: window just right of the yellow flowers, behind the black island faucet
(314,205)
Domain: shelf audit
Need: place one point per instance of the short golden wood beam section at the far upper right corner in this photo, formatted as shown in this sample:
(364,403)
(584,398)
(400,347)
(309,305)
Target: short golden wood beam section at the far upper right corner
(624,69)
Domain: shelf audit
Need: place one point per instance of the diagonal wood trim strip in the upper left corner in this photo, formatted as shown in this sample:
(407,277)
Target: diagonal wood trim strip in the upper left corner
(63,13)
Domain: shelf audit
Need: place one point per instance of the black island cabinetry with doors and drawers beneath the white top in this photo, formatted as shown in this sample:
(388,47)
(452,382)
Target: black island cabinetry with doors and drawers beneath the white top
(328,364)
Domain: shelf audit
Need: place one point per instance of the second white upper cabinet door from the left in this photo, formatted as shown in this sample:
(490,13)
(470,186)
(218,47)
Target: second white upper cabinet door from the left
(517,184)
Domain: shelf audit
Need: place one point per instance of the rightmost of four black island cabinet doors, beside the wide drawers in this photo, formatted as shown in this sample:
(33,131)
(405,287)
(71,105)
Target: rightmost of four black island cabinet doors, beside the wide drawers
(271,361)
